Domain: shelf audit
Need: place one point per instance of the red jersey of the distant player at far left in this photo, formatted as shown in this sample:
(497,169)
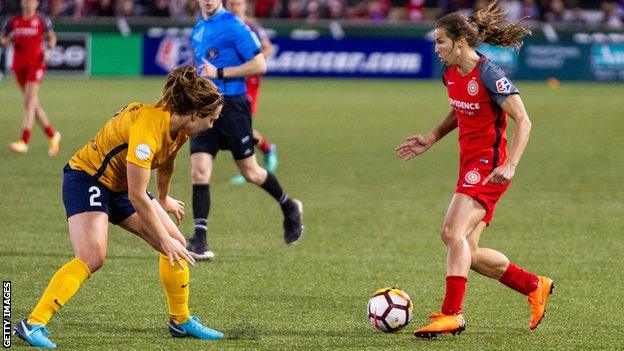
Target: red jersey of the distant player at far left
(27,37)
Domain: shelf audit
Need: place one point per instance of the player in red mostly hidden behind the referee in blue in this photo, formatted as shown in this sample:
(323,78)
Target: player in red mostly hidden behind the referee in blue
(269,150)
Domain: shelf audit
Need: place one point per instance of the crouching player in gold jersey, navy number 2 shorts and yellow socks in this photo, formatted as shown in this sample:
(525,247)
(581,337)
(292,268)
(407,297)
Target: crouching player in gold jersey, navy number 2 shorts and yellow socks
(106,181)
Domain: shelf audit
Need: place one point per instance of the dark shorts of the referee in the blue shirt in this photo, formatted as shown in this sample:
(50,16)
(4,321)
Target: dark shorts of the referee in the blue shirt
(231,131)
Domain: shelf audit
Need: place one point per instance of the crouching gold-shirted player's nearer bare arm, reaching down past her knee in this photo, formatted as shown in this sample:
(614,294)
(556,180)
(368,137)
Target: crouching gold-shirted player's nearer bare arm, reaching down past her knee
(138,178)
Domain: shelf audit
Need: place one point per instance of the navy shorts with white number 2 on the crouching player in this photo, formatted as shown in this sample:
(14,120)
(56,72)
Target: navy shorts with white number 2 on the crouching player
(83,193)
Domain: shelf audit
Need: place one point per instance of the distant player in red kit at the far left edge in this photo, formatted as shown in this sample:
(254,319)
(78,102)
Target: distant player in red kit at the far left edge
(26,31)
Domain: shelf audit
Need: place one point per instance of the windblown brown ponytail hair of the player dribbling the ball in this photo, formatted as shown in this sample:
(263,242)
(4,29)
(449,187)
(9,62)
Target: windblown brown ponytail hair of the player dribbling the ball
(487,25)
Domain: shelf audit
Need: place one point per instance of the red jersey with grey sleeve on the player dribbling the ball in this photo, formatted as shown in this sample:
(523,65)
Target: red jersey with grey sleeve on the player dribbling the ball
(476,99)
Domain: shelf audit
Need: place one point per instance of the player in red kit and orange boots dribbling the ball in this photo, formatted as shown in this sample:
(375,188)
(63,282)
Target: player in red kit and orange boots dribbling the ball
(481,98)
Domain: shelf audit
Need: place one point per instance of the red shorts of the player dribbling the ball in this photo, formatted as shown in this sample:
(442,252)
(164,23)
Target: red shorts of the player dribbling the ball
(470,183)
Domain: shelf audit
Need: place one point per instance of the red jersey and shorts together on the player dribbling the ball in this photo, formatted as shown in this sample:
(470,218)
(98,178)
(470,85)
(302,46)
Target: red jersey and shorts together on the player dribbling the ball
(476,98)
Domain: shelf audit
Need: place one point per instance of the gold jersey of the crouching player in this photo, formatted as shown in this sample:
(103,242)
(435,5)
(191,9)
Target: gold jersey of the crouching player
(138,134)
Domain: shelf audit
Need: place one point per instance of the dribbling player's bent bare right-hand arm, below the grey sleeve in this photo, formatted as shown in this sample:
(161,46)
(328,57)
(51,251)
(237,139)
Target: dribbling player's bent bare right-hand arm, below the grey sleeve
(522,128)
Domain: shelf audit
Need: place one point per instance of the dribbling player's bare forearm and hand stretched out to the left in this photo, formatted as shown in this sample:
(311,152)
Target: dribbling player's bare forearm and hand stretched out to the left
(416,144)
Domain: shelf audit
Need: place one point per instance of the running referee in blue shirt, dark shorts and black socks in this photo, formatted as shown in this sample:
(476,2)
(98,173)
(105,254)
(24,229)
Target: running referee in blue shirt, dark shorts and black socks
(226,51)
